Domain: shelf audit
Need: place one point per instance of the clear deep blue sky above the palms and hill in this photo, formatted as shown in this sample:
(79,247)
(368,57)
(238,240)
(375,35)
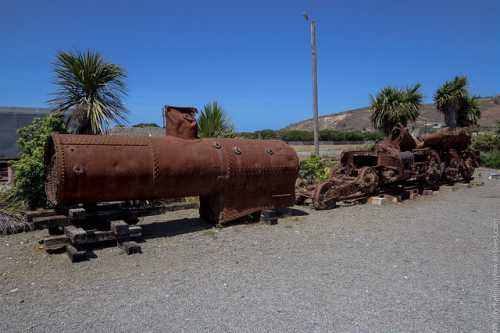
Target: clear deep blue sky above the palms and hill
(252,56)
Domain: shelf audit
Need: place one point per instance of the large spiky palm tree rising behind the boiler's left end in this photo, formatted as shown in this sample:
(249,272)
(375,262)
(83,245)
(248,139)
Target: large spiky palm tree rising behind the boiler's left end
(90,91)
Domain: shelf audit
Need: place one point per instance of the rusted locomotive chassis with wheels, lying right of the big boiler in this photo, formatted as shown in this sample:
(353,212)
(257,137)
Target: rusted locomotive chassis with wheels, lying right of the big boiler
(400,159)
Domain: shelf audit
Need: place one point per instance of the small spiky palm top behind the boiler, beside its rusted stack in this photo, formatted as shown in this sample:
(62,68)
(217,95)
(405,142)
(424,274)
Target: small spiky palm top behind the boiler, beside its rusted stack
(213,122)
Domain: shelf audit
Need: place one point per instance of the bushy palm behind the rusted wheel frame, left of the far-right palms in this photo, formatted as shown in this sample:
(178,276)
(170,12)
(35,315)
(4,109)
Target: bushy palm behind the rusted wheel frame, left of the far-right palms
(394,106)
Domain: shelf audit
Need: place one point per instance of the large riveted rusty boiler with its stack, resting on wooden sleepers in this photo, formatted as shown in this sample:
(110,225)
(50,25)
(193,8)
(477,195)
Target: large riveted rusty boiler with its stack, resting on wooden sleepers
(232,177)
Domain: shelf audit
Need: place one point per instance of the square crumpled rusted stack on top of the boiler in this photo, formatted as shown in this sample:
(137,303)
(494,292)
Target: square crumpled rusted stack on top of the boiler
(181,122)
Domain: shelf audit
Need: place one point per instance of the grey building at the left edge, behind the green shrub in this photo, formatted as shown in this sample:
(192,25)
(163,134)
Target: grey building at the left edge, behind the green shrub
(11,119)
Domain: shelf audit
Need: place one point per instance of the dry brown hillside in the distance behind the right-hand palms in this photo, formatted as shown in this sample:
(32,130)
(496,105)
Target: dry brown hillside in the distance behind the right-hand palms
(359,119)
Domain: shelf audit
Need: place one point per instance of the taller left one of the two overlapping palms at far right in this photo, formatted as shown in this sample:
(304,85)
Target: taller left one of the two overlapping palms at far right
(450,99)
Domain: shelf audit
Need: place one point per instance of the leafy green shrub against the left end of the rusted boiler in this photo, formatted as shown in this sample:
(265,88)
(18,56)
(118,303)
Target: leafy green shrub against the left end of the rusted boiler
(29,168)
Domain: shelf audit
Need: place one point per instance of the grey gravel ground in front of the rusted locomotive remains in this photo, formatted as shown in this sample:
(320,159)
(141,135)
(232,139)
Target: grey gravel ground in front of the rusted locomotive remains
(426,265)
